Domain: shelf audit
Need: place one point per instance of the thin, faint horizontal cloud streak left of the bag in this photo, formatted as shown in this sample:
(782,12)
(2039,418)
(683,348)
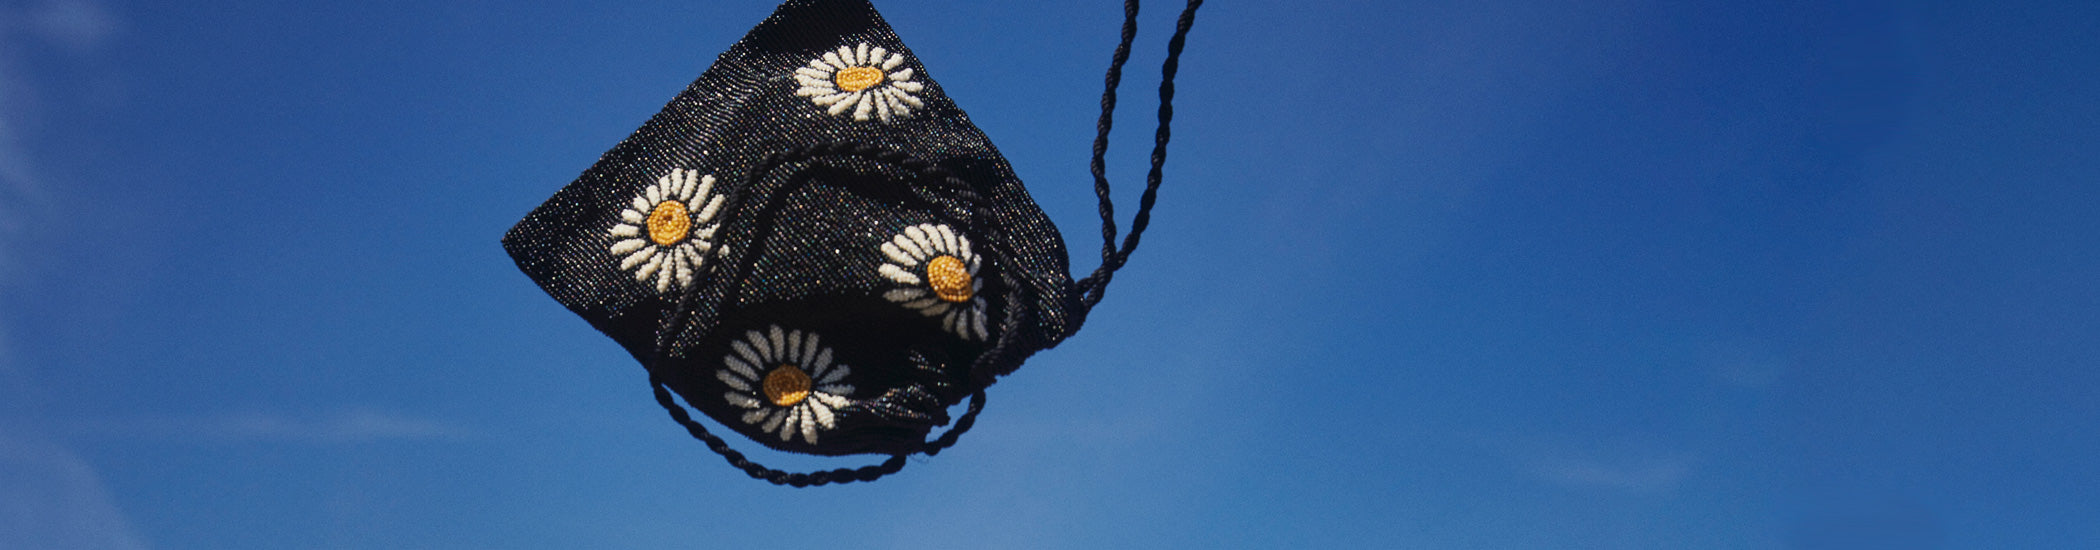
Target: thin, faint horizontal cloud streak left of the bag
(331,429)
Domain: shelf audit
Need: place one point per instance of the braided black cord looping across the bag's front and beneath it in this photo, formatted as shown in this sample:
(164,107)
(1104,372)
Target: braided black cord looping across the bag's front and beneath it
(1009,329)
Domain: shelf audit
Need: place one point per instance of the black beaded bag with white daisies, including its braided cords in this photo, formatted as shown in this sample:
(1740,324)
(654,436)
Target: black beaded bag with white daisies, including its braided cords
(816,249)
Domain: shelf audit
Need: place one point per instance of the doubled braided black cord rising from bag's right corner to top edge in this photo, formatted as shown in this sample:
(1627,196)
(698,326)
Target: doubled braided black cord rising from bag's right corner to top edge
(1114,257)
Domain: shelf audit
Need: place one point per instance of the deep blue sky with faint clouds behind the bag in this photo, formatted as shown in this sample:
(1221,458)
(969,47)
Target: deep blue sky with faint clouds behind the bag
(1425,276)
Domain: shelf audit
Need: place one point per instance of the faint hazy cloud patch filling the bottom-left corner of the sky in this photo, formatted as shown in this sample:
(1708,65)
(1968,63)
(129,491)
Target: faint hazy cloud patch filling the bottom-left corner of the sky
(51,499)
